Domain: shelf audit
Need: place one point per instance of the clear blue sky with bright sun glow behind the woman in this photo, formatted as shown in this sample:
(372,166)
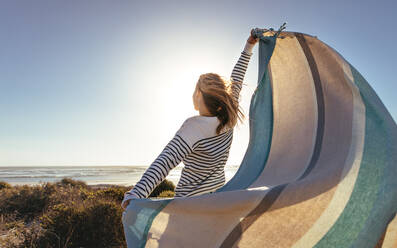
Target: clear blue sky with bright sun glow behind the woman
(110,82)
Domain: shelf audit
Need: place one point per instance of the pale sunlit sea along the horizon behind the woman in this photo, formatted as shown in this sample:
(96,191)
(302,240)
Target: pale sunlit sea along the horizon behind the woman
(92,175)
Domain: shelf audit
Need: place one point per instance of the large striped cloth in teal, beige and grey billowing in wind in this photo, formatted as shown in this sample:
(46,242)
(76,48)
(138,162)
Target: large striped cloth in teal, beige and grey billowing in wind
(320,169)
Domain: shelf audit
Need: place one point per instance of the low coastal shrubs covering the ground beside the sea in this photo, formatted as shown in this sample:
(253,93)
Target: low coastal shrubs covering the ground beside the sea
(68,213)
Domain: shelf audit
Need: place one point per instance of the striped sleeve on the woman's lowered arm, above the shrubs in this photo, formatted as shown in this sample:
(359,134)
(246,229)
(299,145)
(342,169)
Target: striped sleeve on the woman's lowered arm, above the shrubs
(173,153)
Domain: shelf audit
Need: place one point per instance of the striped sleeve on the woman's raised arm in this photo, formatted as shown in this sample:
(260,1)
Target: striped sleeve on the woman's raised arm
(239,70)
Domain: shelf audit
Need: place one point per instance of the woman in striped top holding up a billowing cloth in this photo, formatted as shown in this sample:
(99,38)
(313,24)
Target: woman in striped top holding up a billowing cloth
(203,141)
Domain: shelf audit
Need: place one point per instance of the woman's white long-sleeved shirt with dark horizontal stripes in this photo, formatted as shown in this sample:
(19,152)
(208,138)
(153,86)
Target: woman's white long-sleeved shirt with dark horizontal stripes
(196,144)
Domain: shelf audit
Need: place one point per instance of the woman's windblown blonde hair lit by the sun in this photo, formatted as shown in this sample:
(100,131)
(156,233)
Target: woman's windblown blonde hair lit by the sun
(218,98)
